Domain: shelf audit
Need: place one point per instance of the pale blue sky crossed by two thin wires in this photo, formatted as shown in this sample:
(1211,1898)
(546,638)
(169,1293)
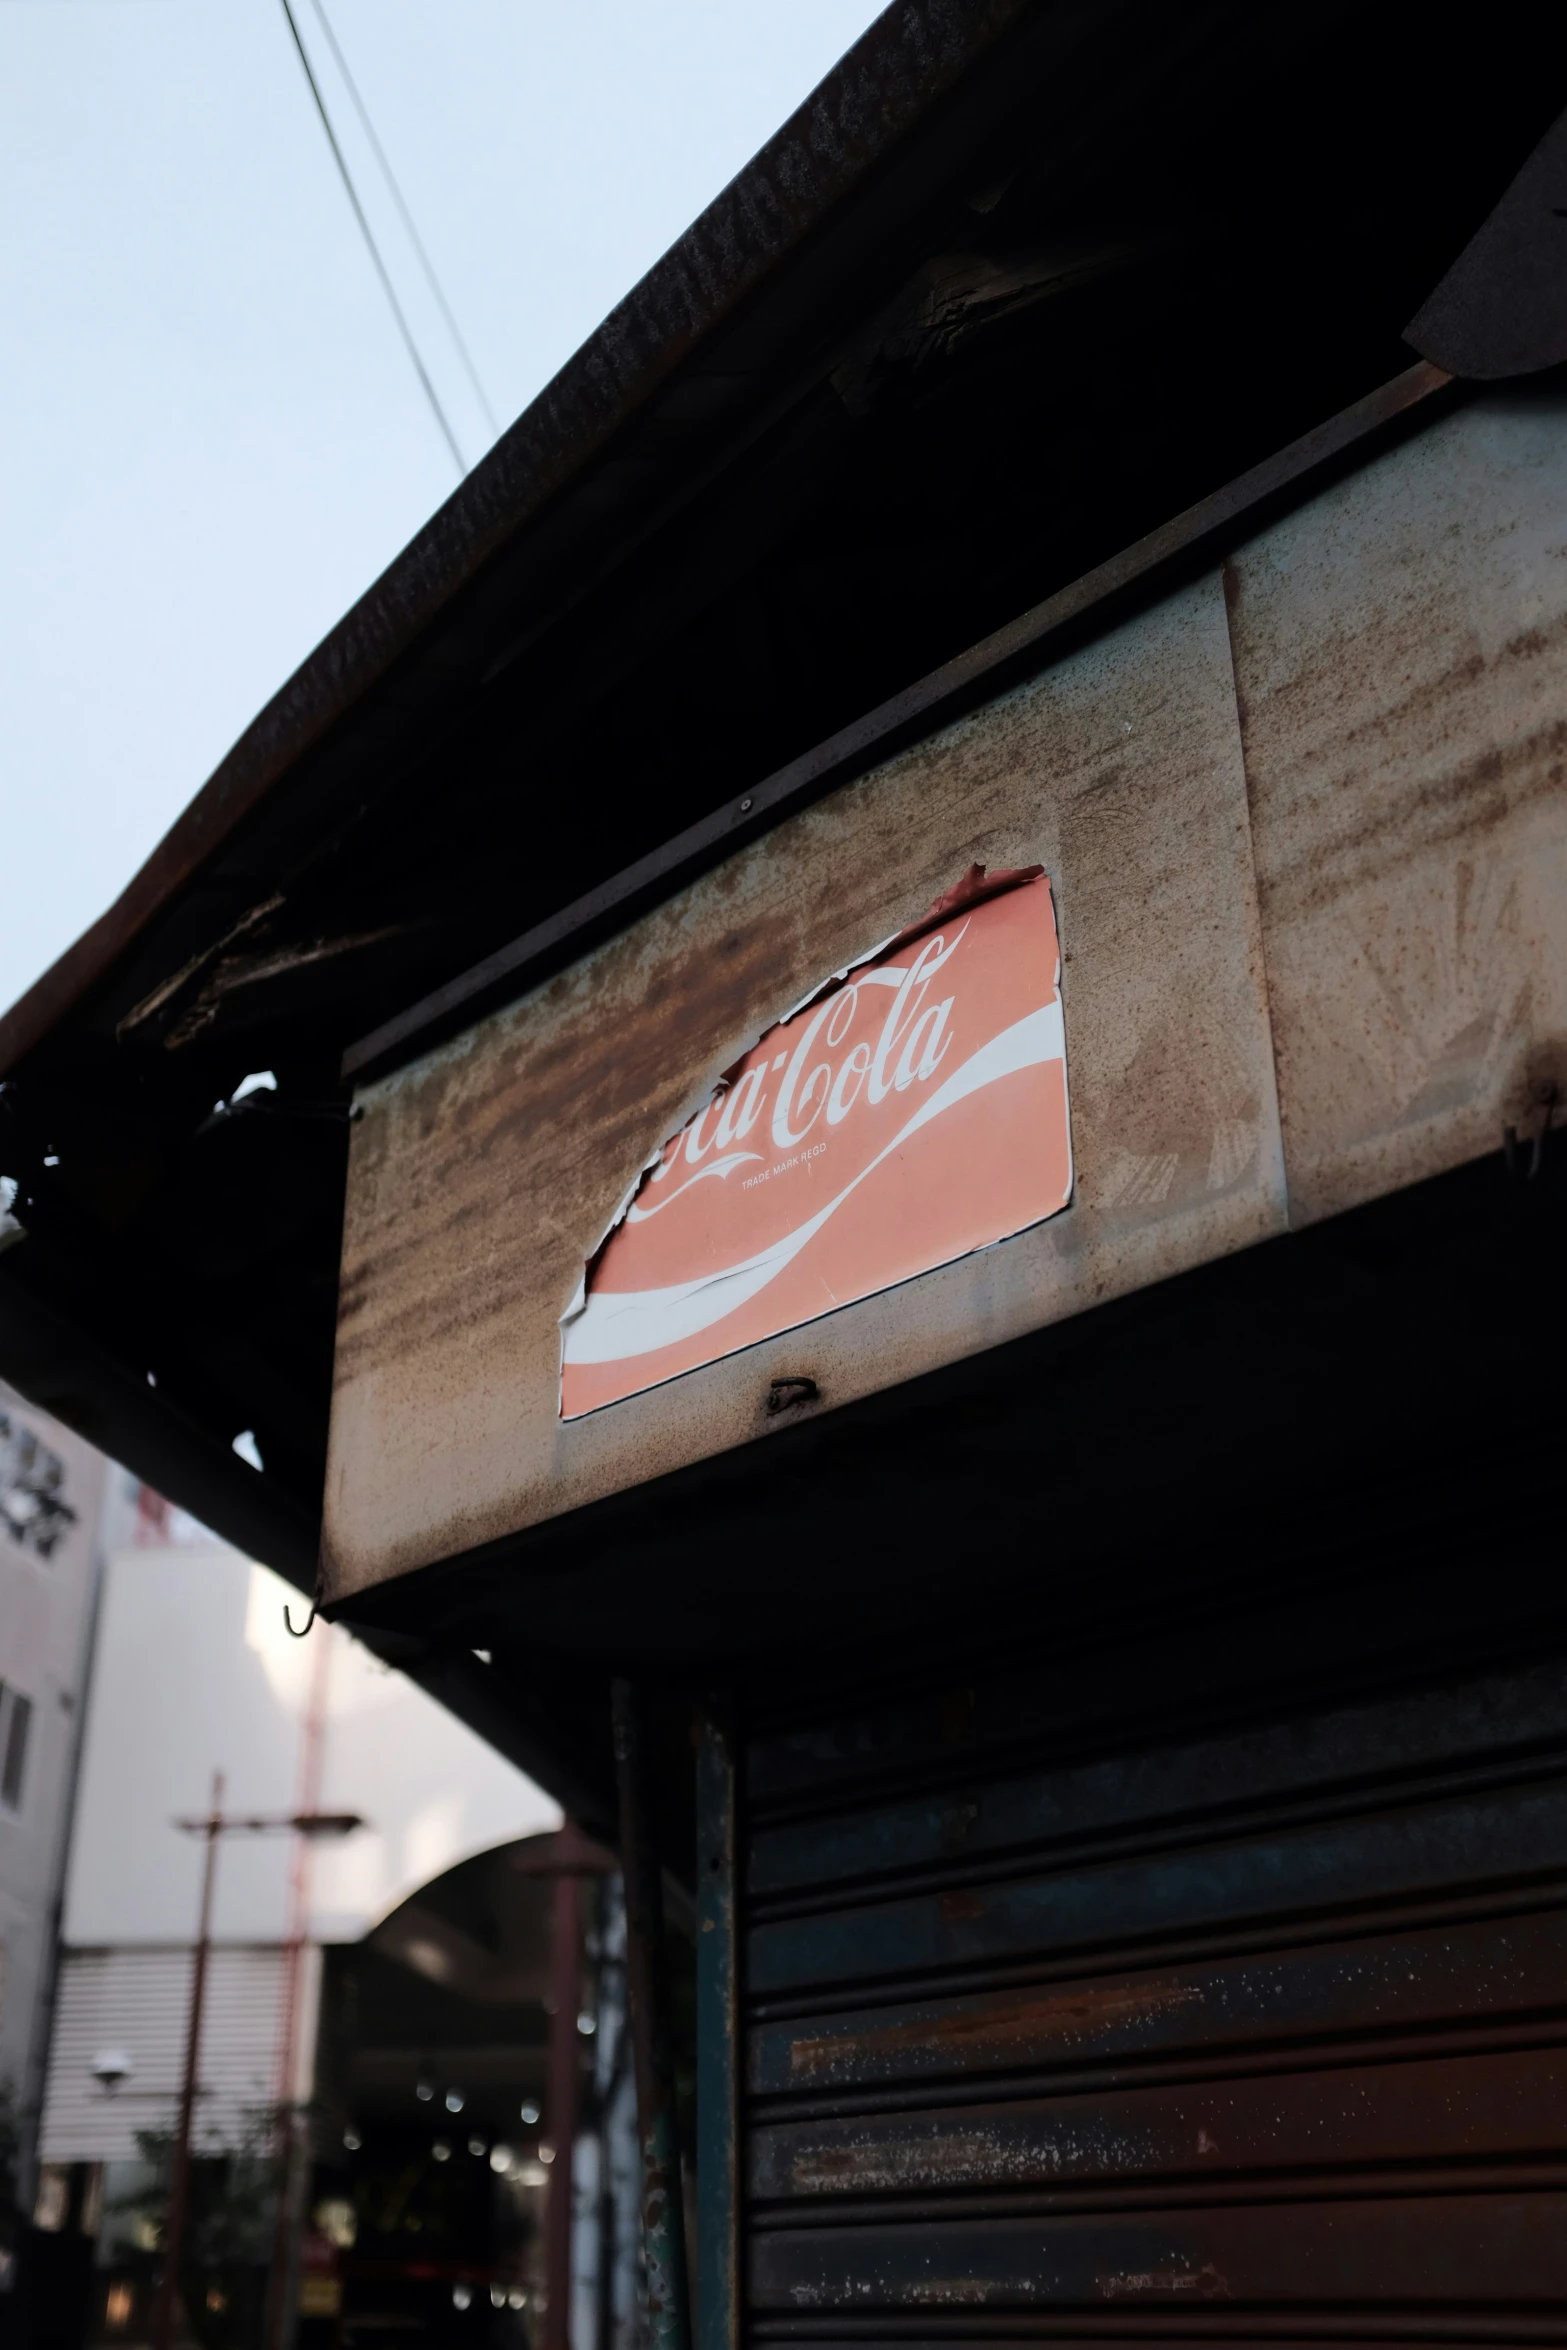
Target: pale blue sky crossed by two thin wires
(210,436)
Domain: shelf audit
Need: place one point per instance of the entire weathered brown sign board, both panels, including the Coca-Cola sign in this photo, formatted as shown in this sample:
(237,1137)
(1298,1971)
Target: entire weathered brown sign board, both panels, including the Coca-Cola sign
(1305,833)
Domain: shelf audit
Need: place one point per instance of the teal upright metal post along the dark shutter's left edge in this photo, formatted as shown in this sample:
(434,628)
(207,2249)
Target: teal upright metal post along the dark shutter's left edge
(718,2119)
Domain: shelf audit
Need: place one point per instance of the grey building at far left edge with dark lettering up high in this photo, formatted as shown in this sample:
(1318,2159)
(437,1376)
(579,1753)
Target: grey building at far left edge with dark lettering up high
(53,1493)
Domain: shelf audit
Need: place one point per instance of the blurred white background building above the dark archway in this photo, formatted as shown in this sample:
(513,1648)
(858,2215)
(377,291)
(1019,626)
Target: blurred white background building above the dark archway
(196,1672)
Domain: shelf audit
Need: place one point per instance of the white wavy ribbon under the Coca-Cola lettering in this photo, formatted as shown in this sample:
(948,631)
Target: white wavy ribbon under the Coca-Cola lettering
(619,1324)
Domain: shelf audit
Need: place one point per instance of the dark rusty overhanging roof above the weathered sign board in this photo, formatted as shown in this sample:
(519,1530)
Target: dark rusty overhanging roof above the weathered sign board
(1011,290)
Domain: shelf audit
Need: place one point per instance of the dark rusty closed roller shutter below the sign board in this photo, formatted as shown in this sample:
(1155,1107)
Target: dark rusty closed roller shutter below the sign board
(1244,2036)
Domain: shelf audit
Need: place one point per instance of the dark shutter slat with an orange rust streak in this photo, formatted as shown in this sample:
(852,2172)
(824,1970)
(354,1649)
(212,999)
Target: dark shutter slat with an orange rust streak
(1493,1975)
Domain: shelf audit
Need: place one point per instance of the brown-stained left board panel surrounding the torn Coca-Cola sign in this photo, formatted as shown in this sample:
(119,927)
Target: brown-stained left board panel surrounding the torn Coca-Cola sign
(485,1176)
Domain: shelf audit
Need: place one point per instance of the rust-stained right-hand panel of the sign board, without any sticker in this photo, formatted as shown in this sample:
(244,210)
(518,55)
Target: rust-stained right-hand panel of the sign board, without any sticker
(1401,662)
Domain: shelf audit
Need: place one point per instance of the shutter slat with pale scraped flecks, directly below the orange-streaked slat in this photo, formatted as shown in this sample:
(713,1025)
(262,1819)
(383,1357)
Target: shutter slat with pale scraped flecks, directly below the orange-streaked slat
(1500,2107)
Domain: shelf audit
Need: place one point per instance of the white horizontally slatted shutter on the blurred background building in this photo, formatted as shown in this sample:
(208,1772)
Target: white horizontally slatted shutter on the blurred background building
(140,2001)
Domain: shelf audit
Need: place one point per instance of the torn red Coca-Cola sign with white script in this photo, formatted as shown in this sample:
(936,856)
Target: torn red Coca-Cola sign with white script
(906,1115)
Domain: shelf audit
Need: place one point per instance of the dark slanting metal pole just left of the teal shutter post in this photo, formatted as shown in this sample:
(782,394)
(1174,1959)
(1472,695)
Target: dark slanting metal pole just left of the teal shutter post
(664,2220)
